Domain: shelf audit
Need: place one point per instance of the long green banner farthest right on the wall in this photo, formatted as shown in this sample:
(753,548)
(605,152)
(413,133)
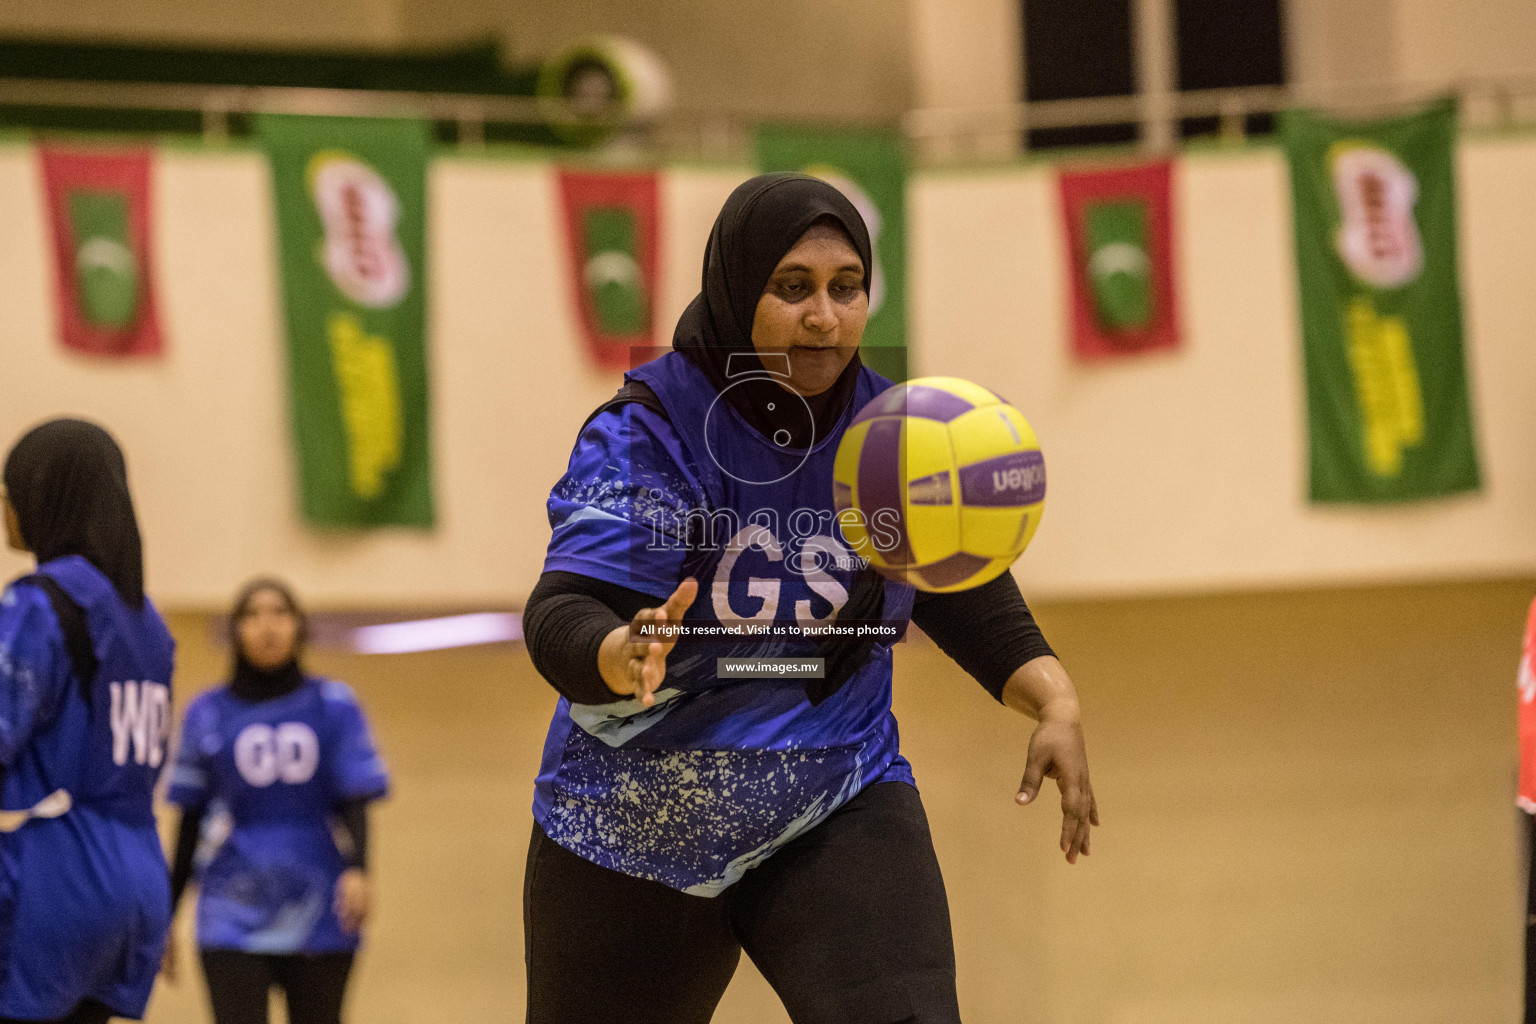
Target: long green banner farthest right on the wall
(1375,210)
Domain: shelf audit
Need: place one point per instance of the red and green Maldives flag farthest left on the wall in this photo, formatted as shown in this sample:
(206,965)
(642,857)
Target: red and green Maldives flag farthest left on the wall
(99,217)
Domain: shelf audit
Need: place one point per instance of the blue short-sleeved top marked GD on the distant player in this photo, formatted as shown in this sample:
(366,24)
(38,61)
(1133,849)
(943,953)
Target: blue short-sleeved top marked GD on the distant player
(276,771)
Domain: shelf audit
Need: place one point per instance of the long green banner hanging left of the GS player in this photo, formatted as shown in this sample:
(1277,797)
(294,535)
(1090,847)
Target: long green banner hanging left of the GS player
(351,200)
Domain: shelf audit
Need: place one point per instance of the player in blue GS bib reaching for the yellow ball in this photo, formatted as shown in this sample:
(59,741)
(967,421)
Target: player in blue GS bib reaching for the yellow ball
(684,813)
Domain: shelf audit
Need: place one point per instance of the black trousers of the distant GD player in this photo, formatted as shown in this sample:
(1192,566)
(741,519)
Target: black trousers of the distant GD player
(239,986)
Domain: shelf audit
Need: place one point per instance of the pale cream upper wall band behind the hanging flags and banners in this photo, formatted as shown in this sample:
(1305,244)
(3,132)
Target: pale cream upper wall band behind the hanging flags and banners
(1177,472)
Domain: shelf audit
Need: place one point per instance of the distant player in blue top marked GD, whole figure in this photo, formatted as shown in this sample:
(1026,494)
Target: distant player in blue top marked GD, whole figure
(276,761)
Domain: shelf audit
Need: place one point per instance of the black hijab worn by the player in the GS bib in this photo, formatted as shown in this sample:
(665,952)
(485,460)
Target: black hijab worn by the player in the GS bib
(763,222)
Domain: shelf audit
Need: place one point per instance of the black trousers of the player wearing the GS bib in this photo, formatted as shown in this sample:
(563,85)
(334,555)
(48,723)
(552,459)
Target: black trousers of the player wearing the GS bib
(849,923)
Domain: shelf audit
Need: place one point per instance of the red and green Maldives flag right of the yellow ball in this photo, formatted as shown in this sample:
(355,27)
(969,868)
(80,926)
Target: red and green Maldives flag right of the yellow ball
(1121,243)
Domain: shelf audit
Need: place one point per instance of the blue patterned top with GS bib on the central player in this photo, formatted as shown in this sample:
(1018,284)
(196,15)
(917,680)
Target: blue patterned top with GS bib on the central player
(738,767)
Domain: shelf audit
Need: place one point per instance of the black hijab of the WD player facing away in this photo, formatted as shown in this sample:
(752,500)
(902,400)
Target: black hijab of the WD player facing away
(68,484)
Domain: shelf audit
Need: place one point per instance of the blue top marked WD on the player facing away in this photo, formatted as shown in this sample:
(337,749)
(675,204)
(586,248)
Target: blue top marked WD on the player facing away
(84,897)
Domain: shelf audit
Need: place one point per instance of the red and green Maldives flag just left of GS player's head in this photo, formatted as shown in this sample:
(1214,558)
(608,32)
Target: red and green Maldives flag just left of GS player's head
(611,233)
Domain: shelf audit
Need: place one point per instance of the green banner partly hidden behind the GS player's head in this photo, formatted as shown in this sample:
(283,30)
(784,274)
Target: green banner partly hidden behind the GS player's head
(870,168)
